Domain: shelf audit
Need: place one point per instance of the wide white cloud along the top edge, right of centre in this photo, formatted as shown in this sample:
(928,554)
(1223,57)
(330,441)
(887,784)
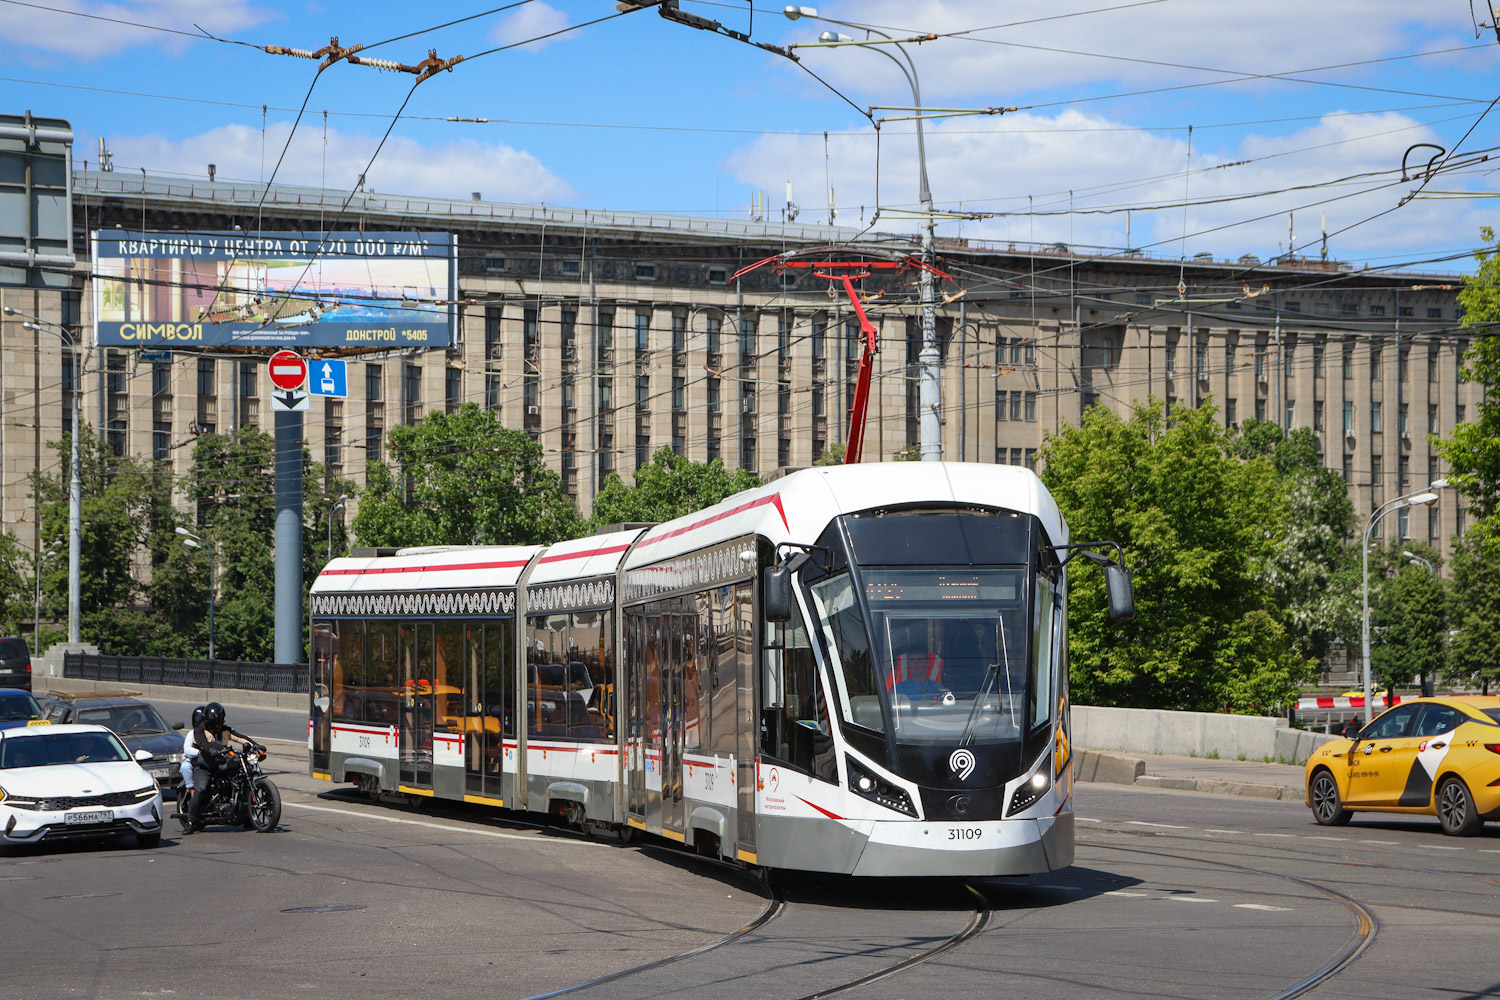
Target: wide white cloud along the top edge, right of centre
(1265,38)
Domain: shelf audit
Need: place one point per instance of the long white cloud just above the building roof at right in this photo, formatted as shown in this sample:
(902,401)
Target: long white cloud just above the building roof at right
(1096,163)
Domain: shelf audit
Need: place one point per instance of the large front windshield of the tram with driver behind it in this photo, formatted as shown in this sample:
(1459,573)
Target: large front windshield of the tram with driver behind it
(949,651)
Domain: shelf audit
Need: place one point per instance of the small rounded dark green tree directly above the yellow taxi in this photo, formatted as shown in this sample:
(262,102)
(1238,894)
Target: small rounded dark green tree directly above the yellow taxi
(1408,617)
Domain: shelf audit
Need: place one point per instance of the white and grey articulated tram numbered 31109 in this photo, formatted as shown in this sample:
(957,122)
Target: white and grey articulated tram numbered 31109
(854,669)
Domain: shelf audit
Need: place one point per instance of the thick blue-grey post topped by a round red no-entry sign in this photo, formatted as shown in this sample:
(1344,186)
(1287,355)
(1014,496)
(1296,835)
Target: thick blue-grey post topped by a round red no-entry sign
(289,376)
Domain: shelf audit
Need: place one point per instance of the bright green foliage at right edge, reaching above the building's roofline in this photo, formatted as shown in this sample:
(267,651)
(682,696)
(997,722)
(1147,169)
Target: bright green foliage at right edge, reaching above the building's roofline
(1474,451)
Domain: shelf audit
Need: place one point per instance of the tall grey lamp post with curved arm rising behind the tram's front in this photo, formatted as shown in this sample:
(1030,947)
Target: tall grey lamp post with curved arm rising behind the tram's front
(929,386)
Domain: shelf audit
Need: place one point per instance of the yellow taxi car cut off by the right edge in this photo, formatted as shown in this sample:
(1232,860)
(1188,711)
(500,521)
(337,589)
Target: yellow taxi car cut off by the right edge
(1424,758)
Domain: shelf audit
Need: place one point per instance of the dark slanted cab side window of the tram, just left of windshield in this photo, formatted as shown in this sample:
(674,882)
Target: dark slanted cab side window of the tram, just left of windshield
(796,726)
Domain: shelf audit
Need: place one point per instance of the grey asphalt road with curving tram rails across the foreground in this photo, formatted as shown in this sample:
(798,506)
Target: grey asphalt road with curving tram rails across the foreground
(1174,896)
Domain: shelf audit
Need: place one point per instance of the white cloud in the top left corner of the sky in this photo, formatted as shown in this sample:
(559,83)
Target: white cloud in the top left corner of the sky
(89,38)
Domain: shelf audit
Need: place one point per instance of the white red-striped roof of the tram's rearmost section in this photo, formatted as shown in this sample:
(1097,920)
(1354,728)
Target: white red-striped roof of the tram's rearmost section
(427,569)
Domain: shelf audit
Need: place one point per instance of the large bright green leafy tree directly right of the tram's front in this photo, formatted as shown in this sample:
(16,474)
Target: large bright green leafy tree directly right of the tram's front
(1198,525)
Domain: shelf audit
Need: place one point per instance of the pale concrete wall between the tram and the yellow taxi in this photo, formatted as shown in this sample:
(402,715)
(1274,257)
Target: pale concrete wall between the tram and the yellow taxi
(1192,734)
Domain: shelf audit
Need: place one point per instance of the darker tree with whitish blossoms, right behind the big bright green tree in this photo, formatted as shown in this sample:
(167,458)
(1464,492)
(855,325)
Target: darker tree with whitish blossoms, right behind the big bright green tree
(1313,572)
